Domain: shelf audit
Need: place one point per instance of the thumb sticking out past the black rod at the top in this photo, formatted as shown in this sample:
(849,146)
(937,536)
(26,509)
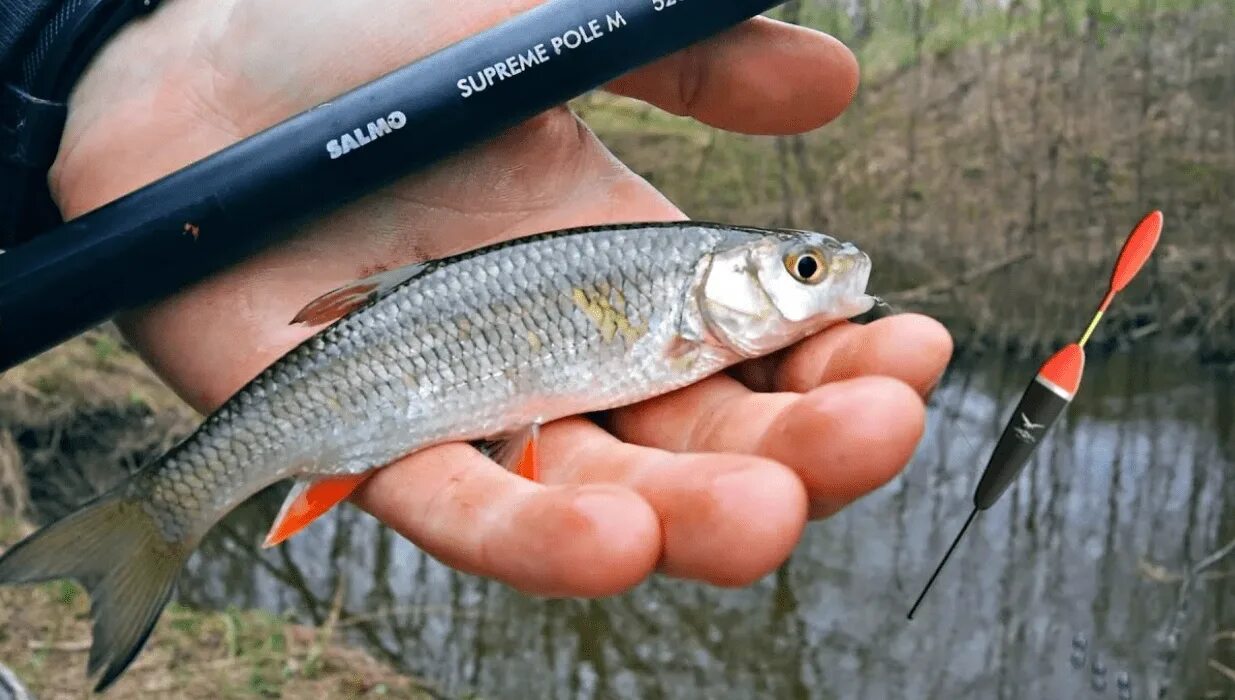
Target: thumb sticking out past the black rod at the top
(761,77)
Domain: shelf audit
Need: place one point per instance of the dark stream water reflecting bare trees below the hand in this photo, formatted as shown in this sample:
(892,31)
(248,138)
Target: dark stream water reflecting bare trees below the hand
(1069,588)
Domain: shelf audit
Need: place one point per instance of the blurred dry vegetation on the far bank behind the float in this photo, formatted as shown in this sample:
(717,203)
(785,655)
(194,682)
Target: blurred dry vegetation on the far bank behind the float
(994,161)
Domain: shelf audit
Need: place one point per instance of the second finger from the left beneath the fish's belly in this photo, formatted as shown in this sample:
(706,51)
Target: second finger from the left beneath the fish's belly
(726,519)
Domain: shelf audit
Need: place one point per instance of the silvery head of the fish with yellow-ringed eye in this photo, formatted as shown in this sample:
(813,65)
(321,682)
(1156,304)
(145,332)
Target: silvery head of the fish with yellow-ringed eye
(765,294)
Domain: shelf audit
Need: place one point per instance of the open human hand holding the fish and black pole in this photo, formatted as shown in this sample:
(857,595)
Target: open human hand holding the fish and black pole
(713,483)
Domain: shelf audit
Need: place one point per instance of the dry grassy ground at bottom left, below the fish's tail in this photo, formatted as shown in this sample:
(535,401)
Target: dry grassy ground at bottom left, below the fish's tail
(193,655)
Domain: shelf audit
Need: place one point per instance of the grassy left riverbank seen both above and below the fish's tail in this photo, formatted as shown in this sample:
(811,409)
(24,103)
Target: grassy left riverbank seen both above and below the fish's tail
(72,422)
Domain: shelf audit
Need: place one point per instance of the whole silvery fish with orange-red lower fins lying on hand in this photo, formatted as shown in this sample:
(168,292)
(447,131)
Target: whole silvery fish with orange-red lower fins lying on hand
(482,348)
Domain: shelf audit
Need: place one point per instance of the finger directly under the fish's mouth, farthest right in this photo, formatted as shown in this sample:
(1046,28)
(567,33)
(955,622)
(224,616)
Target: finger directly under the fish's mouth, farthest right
(910,348)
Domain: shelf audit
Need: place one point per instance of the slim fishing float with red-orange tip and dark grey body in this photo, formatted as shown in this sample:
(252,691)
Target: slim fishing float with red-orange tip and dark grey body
(1052,391)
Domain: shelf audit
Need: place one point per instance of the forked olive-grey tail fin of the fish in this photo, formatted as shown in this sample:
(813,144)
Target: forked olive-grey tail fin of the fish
(115,550)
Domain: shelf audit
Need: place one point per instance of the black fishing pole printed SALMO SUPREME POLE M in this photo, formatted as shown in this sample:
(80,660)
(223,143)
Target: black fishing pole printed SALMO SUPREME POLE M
(224,208)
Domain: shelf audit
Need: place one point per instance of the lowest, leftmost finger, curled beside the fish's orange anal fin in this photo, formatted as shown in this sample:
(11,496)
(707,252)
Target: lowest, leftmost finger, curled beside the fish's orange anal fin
(474,515)
